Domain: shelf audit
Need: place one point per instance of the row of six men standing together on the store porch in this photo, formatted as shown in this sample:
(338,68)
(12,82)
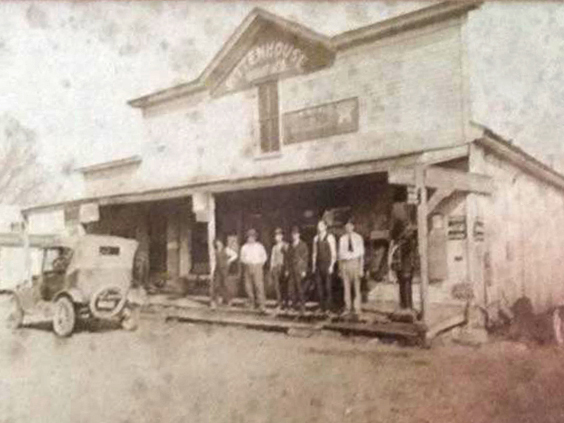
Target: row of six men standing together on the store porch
(289,264)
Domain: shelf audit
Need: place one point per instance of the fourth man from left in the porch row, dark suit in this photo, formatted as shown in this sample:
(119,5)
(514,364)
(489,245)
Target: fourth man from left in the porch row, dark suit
(297,259)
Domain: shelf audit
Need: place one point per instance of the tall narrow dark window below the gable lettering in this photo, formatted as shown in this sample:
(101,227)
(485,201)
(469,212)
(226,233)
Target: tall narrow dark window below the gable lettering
(269,117)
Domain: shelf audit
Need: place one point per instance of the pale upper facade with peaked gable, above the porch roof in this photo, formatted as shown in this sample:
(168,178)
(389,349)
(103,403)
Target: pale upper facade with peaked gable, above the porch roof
(280,98)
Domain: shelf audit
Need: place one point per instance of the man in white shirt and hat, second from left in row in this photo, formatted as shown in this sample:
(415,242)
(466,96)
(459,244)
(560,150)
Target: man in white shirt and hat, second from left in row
(253,257)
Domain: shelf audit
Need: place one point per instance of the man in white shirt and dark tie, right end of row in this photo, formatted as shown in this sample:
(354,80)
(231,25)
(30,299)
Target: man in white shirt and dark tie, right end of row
(351,265)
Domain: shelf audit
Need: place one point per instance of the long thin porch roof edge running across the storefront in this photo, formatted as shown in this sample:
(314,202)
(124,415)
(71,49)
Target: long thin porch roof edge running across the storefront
(385,164)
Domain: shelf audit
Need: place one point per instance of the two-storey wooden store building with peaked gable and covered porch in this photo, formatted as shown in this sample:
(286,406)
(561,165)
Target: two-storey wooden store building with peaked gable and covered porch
(286,126)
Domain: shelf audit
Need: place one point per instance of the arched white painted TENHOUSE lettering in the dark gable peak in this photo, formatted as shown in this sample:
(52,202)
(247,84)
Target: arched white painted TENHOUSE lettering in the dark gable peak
(263,60)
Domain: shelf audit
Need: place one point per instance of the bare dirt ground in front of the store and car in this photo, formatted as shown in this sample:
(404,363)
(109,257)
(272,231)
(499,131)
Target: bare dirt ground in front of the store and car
(177,372)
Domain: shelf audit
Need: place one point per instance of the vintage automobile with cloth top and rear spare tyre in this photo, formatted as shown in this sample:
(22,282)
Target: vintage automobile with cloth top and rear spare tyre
(82,278)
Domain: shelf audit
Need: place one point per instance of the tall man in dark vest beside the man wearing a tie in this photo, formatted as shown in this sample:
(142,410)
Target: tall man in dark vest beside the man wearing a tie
(323,263)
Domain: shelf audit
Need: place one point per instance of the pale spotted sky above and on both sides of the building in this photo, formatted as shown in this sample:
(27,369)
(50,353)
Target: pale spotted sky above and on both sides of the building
(68,68)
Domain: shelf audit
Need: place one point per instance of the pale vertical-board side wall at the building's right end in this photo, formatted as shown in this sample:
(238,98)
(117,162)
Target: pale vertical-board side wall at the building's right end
(523,219)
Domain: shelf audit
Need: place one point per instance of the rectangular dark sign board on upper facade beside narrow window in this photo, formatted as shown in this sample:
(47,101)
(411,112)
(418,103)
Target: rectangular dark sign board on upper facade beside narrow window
(326,120)
